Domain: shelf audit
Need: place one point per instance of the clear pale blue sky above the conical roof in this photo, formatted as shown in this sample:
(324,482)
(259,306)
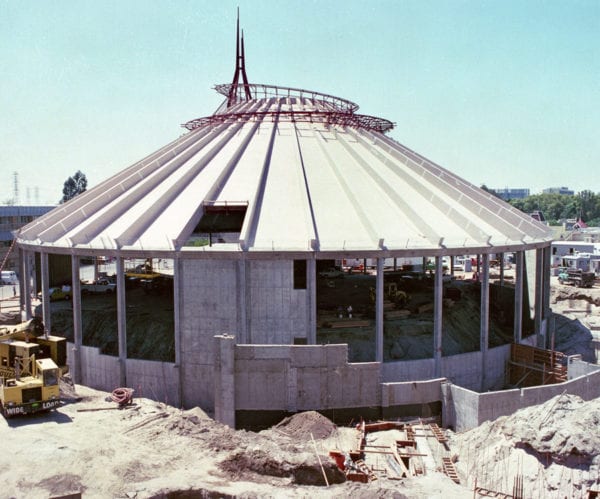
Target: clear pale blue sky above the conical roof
(505,93)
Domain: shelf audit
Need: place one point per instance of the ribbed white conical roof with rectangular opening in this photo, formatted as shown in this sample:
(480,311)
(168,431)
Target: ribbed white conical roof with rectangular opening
(311,175)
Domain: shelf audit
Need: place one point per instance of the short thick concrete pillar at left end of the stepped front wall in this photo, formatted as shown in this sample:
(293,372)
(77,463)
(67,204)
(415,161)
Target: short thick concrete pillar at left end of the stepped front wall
(225,380)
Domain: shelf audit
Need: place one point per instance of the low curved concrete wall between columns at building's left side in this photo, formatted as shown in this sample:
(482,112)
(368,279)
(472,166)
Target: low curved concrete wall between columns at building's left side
(150,379)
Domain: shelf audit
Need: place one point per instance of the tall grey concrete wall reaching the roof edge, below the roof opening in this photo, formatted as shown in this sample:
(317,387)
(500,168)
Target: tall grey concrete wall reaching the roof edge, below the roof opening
(259,307)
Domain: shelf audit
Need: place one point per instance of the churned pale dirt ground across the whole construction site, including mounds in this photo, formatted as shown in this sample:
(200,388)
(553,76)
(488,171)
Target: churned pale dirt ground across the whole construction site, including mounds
(149,449)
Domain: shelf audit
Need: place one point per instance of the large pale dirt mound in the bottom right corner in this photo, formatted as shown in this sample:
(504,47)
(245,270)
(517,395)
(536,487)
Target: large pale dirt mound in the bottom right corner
(555,447)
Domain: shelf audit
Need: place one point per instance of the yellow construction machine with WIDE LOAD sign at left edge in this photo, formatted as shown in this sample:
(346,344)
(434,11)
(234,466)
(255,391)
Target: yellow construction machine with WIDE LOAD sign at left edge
(31,364)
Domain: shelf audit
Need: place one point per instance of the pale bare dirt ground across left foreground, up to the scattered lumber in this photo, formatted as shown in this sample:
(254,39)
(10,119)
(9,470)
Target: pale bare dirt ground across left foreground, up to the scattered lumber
(153,450)
